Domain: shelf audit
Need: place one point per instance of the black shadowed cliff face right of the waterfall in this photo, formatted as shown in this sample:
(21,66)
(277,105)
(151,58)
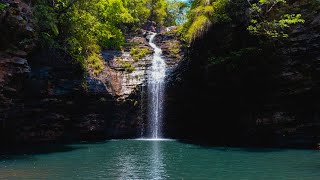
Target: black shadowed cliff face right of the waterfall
(258,94)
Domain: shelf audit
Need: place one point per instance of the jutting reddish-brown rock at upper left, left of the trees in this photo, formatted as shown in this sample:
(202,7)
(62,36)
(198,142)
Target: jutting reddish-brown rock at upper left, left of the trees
(16,31)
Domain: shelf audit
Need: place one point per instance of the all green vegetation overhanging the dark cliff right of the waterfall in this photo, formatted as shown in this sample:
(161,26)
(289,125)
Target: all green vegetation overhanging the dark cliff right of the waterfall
(270,18)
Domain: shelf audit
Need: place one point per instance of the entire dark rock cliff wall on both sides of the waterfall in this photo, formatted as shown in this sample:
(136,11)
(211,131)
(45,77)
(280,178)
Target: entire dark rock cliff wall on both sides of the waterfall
(257,94)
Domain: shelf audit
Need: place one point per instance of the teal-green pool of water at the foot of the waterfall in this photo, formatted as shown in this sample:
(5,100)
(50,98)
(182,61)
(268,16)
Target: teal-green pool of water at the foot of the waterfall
(145,159)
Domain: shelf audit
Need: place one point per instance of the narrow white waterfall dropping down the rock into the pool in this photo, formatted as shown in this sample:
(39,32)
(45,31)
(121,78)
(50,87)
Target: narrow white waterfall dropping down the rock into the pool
(156,90)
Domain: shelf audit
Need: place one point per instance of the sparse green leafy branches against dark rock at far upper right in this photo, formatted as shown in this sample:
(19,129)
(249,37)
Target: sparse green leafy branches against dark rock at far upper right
(269,19)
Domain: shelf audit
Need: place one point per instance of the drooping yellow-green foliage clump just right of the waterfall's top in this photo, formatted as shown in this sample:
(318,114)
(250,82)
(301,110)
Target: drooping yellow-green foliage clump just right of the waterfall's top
(202,15)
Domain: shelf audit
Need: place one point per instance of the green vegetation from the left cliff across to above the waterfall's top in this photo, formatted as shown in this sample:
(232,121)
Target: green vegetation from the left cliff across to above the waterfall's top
(81,29)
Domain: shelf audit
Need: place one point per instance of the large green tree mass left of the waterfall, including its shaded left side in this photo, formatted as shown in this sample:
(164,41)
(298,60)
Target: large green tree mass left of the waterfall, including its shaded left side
(82,28)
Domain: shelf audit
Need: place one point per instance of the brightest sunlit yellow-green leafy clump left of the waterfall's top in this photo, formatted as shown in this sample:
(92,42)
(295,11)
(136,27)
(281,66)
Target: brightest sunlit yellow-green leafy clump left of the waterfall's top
(94,25)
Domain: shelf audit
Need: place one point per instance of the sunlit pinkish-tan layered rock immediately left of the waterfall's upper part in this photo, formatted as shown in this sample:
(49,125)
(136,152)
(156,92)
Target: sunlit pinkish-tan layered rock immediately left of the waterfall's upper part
(123,75)
